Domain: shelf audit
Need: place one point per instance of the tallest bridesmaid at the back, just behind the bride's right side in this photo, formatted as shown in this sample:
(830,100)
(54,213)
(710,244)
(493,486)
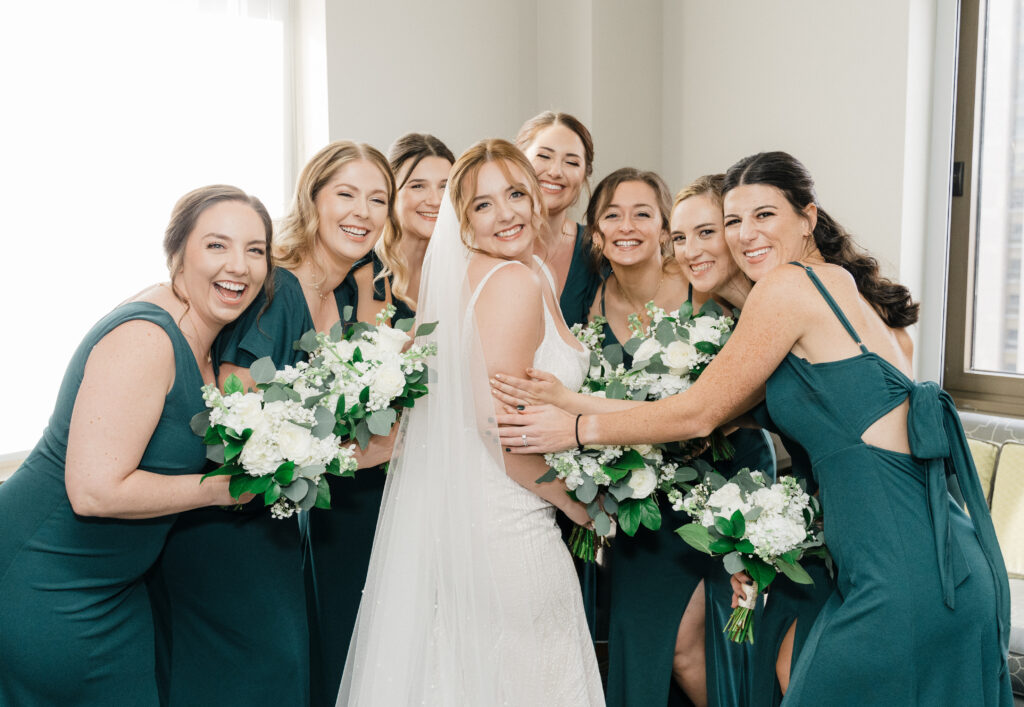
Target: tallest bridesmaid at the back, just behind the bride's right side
(562,151)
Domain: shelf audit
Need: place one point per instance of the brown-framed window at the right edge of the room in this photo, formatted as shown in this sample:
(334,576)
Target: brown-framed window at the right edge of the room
(985,362)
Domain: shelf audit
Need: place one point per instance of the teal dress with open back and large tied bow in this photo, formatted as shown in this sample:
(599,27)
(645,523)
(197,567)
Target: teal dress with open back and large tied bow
(921,612)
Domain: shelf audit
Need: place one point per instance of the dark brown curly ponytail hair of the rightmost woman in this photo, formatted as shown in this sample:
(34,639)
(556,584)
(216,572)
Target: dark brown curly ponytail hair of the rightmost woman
(789,176)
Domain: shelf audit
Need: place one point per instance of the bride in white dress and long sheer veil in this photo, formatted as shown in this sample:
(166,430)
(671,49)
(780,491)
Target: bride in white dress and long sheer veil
(472,598)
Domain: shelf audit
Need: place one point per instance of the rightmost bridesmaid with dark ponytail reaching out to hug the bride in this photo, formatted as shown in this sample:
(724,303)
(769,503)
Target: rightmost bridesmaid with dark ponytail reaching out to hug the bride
(825,344)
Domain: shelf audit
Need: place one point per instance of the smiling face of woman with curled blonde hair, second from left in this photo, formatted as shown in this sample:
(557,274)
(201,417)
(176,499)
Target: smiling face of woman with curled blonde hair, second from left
(353,210)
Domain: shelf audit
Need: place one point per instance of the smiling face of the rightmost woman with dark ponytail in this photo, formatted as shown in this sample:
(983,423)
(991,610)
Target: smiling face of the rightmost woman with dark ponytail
(764,231)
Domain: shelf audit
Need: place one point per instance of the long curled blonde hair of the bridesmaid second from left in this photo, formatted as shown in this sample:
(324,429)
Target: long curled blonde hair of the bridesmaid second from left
(301,230)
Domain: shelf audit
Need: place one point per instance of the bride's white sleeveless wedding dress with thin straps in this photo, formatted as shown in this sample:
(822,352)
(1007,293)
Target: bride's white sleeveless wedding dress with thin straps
(538,578)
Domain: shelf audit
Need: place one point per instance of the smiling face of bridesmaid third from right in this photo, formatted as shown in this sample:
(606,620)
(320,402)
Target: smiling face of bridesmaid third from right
(631,225)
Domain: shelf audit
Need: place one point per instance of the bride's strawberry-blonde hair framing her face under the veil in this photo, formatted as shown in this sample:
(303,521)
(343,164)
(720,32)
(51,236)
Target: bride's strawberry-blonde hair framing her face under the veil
(463,185)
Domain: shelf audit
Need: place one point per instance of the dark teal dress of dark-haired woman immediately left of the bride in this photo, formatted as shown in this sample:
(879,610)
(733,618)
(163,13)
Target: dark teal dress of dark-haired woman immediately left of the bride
(336,556)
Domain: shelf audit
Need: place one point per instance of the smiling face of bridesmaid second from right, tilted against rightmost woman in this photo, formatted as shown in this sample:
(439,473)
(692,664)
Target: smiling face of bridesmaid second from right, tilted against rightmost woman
(698,234)
